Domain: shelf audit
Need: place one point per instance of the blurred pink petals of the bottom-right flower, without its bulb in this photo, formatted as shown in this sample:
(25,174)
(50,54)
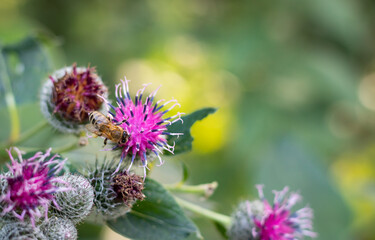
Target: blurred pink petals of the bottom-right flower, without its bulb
(278,222)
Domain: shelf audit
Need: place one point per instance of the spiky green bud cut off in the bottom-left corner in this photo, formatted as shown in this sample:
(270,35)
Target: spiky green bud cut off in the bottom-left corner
(20,231)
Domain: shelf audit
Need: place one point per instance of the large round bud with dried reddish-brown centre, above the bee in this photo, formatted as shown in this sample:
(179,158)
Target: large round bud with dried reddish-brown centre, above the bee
(69,95)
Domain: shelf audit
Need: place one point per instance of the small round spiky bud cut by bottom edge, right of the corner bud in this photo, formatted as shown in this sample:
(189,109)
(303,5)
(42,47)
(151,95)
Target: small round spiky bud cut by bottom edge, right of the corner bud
(59,229)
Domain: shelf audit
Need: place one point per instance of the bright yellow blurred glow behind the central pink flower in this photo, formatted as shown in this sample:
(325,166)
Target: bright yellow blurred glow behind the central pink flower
(183,70)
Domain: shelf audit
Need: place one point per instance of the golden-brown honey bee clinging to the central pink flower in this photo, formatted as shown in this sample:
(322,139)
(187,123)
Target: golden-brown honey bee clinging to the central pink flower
(101,125)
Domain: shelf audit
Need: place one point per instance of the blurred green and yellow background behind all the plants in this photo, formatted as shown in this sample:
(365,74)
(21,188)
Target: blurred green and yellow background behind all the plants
(293,81)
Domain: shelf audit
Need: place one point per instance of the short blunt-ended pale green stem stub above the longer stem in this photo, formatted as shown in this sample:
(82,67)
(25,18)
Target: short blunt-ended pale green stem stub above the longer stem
(206,189)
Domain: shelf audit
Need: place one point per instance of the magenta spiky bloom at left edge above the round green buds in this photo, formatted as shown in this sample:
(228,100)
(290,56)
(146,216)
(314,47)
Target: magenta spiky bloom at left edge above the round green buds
(31,185)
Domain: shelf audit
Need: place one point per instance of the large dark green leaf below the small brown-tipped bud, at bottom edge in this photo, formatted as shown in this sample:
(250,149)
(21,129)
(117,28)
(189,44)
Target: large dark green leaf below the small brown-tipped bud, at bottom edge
(157,217)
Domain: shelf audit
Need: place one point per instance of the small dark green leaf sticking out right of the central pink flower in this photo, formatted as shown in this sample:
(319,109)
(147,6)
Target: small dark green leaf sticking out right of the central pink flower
(184,142)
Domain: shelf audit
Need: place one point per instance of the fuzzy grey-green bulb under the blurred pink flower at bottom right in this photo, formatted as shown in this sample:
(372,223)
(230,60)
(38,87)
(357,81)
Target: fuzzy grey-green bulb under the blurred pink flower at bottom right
(243,220)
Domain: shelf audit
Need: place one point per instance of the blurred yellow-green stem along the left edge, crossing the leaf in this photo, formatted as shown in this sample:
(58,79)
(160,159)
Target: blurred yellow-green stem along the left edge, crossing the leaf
(10,101)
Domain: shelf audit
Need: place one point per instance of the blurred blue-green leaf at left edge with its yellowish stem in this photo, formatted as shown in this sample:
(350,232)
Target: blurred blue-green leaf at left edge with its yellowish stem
(23,66)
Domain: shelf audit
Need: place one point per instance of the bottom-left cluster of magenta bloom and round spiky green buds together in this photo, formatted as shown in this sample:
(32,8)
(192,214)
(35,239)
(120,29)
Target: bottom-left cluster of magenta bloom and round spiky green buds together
(31,189)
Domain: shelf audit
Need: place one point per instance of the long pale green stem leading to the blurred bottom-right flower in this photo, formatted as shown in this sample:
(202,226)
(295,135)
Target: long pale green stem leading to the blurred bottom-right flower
(217,217)
